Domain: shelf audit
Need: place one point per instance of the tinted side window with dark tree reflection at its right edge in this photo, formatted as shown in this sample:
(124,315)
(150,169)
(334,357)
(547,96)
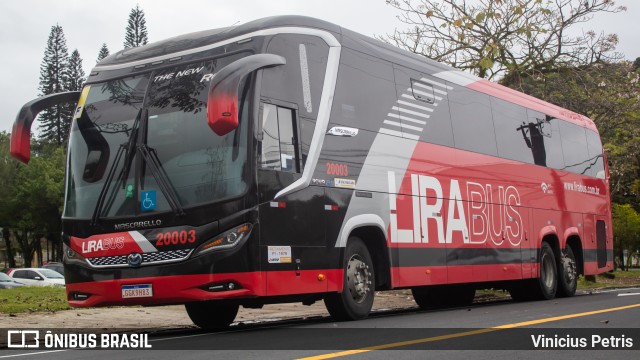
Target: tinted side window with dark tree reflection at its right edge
(513,134)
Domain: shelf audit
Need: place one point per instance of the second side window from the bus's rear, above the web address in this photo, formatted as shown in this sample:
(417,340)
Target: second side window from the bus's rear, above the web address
(574,147)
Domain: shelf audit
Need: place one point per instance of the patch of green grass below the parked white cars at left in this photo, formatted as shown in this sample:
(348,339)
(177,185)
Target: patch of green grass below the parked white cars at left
(33,299)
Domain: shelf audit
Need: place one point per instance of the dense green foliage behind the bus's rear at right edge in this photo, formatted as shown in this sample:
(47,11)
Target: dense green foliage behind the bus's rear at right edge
(607,93)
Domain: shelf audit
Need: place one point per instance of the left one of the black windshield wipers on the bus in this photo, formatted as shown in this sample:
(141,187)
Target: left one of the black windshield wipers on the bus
(128,150)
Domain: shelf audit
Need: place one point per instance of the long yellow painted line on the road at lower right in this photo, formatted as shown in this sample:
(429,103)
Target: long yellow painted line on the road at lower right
(466,333)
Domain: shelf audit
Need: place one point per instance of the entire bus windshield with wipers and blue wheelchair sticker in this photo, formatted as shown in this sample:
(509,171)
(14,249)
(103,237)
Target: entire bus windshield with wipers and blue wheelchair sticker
(131,131)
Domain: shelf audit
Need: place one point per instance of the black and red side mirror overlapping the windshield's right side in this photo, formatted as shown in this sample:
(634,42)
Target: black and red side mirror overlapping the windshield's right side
(222,101)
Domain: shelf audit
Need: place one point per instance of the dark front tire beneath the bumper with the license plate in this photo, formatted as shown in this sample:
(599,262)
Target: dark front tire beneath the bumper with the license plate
(212,314)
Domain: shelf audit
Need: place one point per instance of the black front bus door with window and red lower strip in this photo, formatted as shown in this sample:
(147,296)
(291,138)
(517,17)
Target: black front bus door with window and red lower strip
(292,235)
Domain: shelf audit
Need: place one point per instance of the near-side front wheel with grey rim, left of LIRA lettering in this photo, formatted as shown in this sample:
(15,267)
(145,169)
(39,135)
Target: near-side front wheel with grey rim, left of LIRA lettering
(356,299)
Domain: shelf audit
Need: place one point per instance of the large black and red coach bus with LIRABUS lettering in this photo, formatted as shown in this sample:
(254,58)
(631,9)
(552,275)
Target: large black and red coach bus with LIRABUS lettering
(291,160)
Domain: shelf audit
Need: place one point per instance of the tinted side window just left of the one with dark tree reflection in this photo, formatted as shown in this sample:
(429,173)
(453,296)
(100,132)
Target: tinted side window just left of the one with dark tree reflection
(472,121)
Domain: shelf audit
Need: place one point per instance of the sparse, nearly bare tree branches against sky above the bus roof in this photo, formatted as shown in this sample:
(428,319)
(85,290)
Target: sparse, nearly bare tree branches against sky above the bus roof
(498,38)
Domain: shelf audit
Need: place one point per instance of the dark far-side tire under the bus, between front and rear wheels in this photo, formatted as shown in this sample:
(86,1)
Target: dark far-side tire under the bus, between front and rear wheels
(433,297)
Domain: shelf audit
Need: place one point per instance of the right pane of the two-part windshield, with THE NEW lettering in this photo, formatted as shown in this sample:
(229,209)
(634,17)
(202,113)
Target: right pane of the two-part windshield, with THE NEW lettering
(200,165)
